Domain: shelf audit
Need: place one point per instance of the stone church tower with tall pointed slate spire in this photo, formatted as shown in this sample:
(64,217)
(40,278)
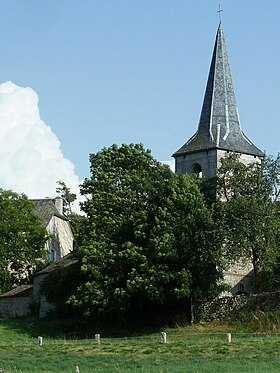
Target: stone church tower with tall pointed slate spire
(219,133)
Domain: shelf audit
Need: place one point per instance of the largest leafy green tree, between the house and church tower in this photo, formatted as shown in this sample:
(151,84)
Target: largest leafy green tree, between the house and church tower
(149,237)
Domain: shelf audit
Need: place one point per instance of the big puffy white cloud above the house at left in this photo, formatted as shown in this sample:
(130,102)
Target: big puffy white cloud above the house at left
(31,160)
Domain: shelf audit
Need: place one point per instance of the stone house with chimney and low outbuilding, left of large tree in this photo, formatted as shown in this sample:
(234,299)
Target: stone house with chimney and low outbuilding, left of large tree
(59,249)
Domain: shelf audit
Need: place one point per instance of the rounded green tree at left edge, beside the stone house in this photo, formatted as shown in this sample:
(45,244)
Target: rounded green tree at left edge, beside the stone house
(22,239)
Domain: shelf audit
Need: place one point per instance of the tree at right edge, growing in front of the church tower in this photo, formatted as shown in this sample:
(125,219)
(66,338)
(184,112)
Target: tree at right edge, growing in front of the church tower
(249,210)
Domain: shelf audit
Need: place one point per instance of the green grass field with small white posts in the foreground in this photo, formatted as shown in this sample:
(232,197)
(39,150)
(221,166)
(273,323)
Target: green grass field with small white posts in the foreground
(190,349)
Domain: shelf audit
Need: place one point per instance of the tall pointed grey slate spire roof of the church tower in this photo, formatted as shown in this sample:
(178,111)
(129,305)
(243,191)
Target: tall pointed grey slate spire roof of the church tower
(219,125)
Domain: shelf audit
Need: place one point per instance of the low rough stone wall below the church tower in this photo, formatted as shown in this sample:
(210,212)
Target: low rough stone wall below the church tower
(230,307)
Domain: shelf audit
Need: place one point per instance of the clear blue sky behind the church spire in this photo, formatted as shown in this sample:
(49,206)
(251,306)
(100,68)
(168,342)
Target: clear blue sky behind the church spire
(122,71)
